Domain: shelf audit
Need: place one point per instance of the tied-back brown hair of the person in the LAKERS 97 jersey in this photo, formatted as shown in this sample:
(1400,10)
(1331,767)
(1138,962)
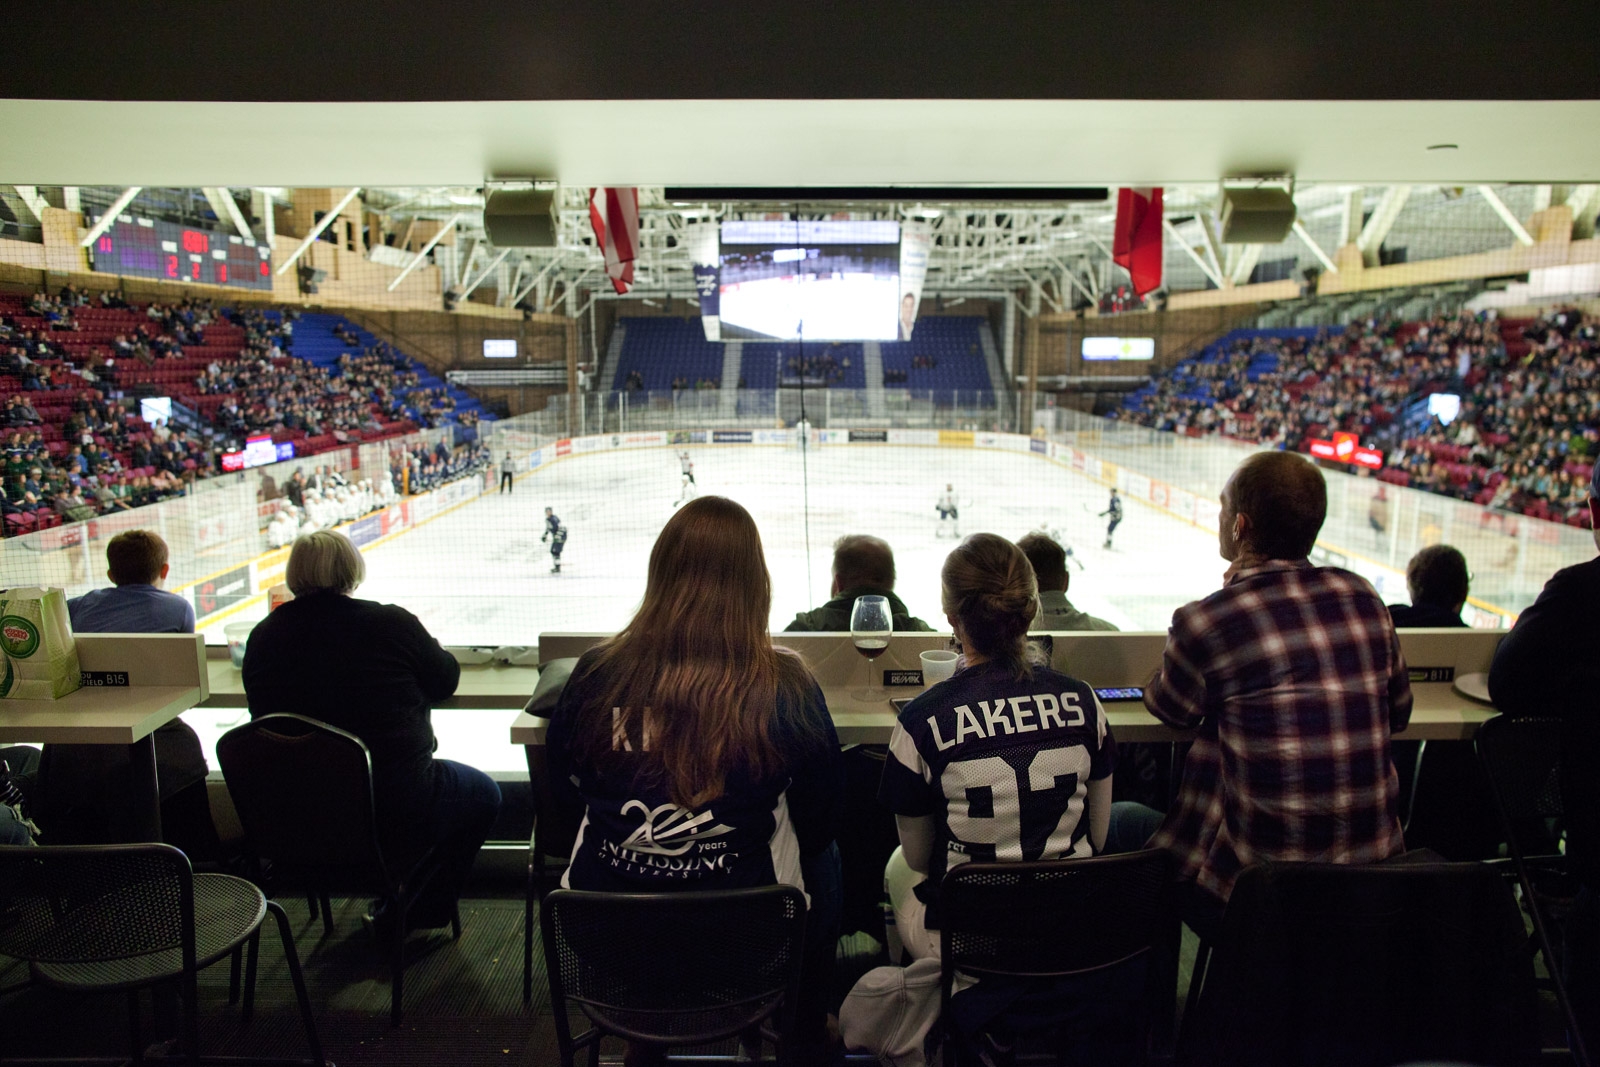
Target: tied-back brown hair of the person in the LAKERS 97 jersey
(990,586)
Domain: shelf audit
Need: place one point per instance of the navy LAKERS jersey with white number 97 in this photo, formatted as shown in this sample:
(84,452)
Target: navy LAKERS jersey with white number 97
(1001,765)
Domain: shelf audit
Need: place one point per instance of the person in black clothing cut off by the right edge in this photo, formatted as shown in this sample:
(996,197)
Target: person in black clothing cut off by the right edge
(1548,668)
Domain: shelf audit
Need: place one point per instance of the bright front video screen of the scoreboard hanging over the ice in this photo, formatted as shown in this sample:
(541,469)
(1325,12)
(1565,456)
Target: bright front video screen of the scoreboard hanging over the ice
(830,281)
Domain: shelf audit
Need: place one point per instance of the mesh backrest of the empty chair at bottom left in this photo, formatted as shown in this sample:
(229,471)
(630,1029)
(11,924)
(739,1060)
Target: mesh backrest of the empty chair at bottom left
(95,903)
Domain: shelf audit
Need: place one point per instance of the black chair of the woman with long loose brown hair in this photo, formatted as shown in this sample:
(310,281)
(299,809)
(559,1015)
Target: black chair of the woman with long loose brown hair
(674,969)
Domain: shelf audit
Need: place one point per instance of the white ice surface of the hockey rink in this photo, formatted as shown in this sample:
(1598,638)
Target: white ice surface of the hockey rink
(481,575)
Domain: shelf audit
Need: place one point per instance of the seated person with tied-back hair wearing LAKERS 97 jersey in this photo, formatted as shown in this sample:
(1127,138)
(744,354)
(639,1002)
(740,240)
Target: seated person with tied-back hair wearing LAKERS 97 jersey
(1031,740)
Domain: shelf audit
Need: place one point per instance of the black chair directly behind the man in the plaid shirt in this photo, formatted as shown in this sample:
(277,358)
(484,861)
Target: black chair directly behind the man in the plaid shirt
(1364,965)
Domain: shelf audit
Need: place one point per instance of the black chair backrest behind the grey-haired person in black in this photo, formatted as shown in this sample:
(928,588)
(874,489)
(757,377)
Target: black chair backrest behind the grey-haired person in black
(303,791)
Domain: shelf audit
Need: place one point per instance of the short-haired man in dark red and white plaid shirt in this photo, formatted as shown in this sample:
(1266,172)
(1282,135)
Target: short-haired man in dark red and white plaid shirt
(1294,677)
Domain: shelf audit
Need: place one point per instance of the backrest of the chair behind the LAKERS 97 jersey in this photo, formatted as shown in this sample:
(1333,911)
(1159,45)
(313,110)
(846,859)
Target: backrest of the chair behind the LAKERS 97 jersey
(1054,917)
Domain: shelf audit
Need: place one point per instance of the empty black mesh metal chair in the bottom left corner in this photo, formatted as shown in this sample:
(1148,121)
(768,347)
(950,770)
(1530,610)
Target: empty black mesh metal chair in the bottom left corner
(100,919)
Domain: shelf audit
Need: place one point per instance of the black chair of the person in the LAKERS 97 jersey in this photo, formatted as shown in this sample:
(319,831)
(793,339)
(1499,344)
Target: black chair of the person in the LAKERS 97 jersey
(1073,935)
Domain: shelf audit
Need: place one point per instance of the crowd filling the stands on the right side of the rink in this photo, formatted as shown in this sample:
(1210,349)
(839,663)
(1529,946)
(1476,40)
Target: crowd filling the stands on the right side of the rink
(1526,439)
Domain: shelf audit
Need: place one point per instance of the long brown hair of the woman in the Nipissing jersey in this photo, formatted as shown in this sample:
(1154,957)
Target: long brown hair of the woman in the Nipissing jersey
(695,681)
